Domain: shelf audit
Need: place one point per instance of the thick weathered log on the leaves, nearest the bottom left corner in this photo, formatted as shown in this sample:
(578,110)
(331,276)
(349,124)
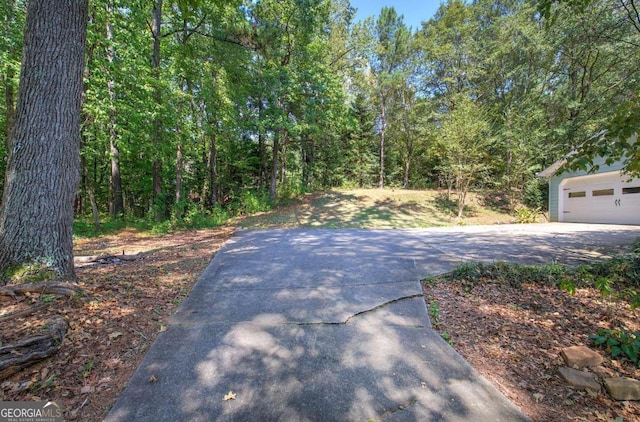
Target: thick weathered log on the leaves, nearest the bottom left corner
(15,357)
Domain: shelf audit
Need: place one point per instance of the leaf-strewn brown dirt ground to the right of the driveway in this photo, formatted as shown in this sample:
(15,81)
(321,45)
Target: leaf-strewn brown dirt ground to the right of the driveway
(513,337)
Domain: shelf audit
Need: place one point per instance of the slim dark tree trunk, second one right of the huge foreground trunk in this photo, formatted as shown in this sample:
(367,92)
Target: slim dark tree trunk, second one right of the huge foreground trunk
(156,166)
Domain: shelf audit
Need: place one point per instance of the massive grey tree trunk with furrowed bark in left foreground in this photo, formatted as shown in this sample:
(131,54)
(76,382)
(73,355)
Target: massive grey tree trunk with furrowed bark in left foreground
(43,170)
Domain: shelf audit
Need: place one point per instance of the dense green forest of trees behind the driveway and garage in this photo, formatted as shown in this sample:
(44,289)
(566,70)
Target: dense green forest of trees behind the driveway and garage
(194,106)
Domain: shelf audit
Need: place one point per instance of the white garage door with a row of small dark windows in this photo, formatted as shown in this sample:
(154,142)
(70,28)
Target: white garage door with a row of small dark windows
(600,198)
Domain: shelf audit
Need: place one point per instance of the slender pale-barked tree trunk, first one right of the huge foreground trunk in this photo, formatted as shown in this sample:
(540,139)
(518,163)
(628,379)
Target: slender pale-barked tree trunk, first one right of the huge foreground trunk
(117,204)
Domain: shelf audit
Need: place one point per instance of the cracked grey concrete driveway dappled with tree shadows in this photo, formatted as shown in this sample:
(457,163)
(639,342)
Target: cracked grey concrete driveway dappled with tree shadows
(331,325)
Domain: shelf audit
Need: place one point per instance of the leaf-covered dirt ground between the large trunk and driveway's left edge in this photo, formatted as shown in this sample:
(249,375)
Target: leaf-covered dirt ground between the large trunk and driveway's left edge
(109,331)
